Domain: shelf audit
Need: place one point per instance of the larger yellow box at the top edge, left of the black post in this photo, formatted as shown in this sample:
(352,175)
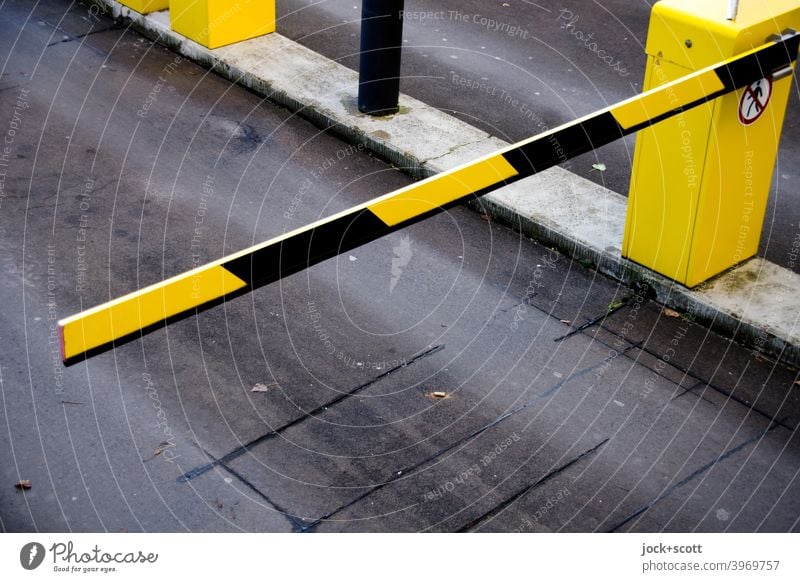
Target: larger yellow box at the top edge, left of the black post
(215,23)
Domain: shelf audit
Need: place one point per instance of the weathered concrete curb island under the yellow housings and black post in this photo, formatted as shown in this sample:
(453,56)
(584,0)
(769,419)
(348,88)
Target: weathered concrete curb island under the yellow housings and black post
(757,304)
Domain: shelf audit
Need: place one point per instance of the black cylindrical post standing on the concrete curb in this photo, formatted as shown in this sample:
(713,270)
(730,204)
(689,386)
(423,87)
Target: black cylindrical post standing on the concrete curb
(381,48)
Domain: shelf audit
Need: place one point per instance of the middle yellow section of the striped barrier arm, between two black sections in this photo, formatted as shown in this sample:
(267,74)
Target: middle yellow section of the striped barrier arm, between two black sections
(440,190)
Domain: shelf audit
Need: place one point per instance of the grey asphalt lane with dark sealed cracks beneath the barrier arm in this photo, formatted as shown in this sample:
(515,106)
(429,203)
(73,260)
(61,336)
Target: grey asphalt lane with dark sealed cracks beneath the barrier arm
(435,380)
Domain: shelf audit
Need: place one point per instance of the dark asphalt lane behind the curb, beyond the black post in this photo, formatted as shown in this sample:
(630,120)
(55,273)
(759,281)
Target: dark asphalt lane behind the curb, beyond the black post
(540,65)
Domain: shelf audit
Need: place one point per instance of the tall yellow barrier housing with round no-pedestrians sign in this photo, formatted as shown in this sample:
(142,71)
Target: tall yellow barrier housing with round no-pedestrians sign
(701,179)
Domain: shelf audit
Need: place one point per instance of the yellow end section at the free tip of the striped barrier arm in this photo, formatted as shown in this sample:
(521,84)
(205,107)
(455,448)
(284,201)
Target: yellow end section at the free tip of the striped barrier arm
(140,309)
